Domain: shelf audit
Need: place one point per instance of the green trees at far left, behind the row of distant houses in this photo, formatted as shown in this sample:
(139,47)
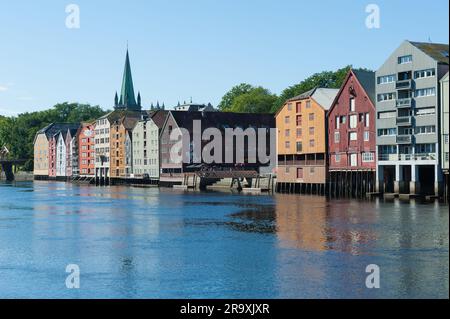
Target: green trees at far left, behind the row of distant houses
(17,133)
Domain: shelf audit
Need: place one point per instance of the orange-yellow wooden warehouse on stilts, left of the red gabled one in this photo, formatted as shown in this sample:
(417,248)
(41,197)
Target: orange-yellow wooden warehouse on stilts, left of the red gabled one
(302,142)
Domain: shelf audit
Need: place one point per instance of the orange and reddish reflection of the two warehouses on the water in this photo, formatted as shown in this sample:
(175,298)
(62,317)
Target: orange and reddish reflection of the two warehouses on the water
(314,223)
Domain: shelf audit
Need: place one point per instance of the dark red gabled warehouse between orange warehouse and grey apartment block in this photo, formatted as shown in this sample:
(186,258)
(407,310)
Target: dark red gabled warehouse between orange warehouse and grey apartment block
(352,136)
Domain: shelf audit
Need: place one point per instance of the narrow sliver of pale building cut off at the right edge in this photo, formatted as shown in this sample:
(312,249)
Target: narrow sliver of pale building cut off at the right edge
(445,131)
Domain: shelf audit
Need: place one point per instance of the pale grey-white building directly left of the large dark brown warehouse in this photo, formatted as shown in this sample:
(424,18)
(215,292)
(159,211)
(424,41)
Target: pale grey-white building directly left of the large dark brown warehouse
(146,144)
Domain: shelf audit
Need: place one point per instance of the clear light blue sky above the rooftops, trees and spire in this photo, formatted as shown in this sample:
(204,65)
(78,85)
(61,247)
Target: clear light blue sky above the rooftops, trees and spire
(197,48)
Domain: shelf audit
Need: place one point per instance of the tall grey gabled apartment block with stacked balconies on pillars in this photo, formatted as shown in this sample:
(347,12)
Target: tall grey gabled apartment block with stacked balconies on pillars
(407,120)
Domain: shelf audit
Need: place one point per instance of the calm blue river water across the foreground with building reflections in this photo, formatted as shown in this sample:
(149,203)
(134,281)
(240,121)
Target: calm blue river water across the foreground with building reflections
(150,243)
